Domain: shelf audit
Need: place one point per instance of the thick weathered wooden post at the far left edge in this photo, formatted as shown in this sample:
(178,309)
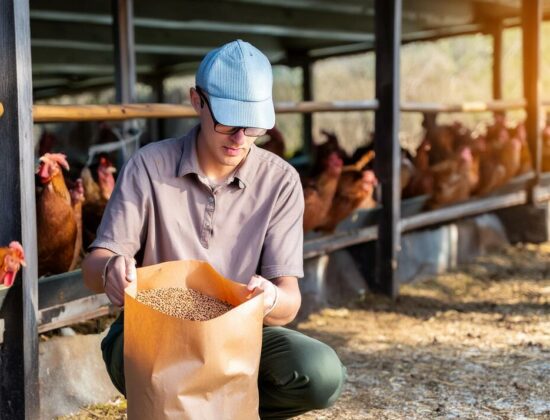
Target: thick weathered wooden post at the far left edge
(19,396)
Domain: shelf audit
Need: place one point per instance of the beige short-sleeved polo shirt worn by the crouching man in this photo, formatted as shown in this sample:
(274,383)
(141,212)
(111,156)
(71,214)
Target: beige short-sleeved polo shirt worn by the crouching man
(164,209)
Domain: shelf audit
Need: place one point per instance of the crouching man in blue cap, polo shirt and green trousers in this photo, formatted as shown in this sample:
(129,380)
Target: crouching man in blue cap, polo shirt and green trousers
(213,195)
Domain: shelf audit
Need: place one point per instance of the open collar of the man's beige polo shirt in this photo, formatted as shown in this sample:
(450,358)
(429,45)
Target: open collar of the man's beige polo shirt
(189,163)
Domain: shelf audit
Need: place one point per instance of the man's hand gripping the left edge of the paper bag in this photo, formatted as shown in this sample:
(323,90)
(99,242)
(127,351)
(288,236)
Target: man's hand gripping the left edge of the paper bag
(119,271)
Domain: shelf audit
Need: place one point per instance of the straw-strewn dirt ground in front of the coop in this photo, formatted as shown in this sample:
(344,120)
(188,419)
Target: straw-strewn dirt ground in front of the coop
(474,343)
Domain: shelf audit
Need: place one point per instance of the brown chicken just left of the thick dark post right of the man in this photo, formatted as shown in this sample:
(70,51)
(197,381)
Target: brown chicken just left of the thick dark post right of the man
(355,189)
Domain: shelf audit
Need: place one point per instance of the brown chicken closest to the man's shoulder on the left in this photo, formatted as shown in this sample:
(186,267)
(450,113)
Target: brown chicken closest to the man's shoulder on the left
(96,196)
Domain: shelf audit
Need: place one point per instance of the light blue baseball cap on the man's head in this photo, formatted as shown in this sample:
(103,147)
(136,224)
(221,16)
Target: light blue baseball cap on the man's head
(239,80)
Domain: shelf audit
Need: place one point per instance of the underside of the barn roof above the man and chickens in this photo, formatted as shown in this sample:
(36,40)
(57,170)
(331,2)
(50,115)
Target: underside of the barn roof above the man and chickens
(72,45)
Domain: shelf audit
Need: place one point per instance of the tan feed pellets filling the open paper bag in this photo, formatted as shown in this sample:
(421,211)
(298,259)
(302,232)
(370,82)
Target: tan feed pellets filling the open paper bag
(183,303)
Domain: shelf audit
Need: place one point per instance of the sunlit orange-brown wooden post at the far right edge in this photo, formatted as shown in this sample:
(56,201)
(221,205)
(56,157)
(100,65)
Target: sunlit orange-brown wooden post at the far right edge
(531,28)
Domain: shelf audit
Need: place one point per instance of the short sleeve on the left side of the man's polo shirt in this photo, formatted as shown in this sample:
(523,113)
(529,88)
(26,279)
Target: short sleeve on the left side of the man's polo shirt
(123,226)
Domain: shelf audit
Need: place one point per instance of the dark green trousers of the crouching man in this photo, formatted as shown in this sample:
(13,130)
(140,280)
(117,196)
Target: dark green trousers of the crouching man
(297,373)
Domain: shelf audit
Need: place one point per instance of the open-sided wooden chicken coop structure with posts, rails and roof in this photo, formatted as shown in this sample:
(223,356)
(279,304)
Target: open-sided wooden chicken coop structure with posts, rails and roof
(56,47)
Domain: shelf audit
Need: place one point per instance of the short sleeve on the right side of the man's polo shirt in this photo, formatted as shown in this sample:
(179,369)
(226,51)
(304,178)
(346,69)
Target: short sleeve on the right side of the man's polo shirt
(282,253)
